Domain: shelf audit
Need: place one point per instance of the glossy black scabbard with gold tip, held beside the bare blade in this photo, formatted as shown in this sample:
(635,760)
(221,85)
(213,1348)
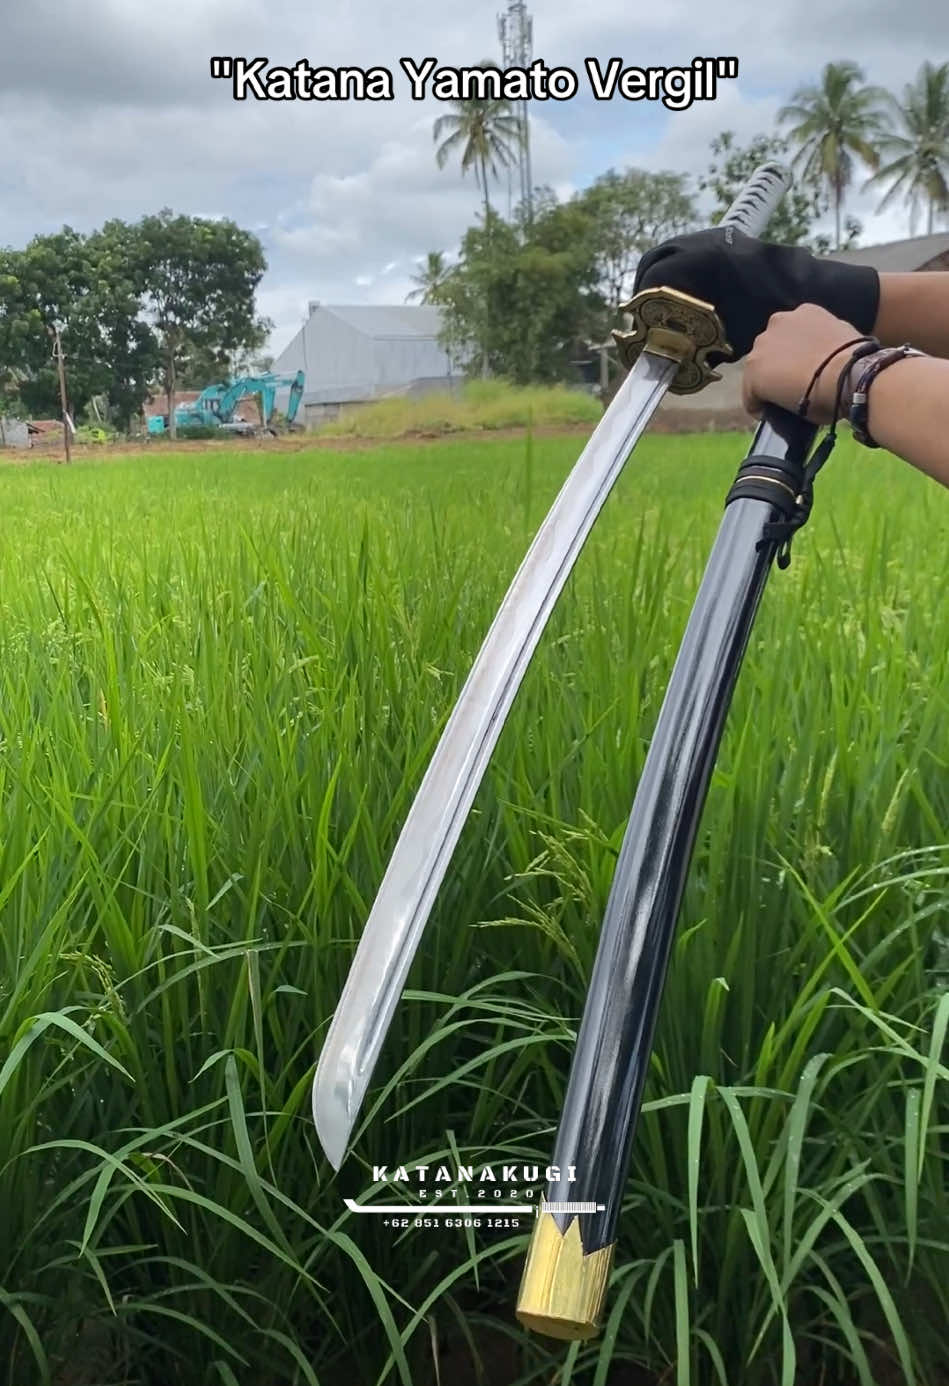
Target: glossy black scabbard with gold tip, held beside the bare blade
(571,1252)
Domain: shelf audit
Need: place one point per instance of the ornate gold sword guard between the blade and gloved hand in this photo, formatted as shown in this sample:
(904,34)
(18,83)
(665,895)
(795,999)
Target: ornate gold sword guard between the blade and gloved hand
(680,328)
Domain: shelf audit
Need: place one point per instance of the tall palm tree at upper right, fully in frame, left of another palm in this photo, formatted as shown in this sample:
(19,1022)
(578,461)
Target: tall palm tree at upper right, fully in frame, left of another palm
(833,124)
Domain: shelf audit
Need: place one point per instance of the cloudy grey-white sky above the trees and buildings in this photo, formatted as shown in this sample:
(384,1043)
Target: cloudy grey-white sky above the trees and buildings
(109,109)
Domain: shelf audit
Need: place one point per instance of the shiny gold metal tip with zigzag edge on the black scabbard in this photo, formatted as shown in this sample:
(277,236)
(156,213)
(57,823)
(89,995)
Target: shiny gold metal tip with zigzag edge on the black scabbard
(563,1290)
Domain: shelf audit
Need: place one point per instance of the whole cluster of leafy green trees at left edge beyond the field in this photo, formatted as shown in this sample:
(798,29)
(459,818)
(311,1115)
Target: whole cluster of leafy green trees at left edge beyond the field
(166,296)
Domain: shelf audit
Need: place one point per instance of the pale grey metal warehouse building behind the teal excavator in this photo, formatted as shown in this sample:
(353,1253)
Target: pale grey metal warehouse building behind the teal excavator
(357,354)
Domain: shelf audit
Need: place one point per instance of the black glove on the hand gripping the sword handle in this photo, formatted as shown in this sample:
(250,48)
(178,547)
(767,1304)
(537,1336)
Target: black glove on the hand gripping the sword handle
(749,281)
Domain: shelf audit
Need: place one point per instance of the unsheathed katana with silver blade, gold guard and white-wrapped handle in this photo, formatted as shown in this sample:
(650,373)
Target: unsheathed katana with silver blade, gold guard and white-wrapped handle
(673,335)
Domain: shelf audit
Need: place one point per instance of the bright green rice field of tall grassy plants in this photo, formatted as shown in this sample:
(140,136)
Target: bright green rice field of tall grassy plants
(221,681)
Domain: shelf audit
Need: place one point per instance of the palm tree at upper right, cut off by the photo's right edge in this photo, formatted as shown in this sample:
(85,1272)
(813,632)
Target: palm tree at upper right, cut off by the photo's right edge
(918,152)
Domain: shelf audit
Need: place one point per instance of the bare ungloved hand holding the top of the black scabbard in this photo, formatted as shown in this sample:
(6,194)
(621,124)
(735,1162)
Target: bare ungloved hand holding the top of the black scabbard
(786,356)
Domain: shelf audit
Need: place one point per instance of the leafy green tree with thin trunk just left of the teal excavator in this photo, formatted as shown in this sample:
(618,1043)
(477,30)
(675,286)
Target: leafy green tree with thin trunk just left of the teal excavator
(200,281)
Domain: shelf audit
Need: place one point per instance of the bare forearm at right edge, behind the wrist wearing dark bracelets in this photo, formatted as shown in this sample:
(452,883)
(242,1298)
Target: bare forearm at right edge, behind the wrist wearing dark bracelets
(908,412)
